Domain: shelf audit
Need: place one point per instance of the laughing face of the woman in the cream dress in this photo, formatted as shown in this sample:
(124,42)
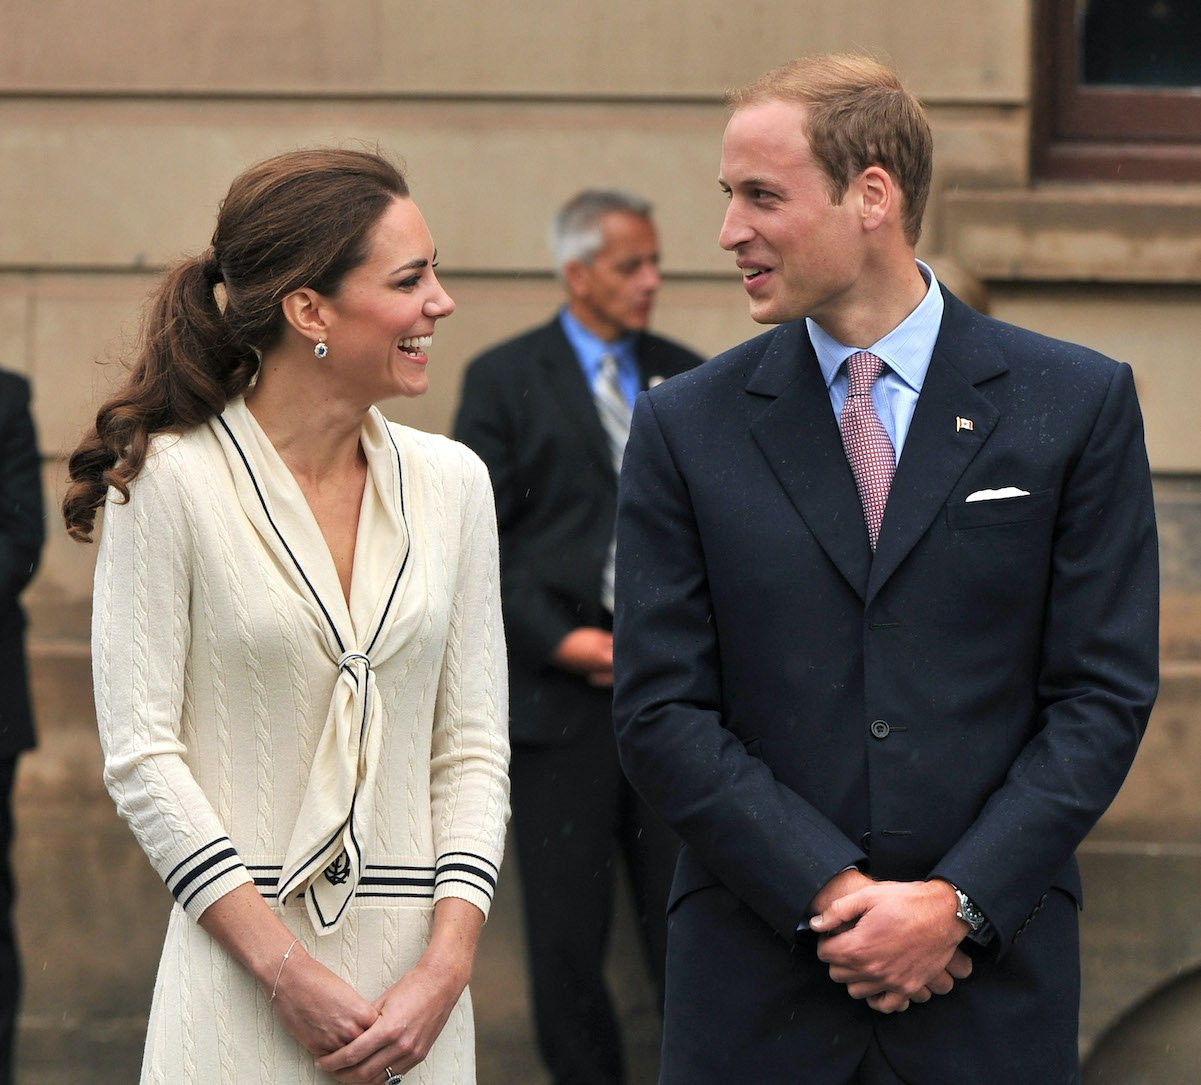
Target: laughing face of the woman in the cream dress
(381,321)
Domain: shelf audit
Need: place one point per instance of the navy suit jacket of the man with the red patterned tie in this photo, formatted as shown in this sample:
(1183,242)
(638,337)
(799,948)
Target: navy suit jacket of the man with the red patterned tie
(964,705)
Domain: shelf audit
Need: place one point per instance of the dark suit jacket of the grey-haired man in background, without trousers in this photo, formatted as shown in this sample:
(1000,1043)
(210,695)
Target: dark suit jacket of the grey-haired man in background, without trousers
(529,413)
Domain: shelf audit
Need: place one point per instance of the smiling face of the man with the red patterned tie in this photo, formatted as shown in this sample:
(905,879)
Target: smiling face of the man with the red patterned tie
(800,254)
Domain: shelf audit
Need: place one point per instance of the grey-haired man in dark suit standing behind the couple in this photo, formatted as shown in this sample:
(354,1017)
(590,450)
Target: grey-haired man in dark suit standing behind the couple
(549,413)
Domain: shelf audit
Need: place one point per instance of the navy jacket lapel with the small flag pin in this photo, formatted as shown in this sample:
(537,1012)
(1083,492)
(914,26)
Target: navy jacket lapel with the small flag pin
(939,448)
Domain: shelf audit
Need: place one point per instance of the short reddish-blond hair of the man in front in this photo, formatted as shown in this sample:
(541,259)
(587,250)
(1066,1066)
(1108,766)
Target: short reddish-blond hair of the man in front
(858,115)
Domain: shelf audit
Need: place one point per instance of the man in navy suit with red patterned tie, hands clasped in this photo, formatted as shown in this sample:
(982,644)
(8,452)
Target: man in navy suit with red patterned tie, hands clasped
(886,646)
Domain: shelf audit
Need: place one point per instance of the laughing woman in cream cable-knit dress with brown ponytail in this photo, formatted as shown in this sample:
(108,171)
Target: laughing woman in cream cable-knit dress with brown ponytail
(297,643)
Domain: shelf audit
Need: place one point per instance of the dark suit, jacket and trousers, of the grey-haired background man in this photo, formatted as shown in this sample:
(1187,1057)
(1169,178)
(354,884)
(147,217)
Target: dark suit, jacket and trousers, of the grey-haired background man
(530,414)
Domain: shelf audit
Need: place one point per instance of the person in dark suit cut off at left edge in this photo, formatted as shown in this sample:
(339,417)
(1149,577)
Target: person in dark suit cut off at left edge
(22,532)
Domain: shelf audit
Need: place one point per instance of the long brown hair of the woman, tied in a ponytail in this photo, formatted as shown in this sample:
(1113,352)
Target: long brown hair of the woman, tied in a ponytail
(301,219)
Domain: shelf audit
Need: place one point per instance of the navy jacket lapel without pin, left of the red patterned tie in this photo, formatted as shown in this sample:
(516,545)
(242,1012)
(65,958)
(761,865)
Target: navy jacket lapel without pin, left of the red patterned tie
(799,437)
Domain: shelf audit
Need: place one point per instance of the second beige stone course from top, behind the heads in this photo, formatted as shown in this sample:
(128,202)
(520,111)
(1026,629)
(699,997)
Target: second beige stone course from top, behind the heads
(105,184)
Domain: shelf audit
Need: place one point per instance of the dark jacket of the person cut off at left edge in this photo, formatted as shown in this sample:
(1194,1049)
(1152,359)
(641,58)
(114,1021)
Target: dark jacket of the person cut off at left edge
(22,532)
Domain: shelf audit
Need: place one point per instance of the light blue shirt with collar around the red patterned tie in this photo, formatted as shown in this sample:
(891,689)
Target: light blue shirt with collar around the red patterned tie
(906,353)
